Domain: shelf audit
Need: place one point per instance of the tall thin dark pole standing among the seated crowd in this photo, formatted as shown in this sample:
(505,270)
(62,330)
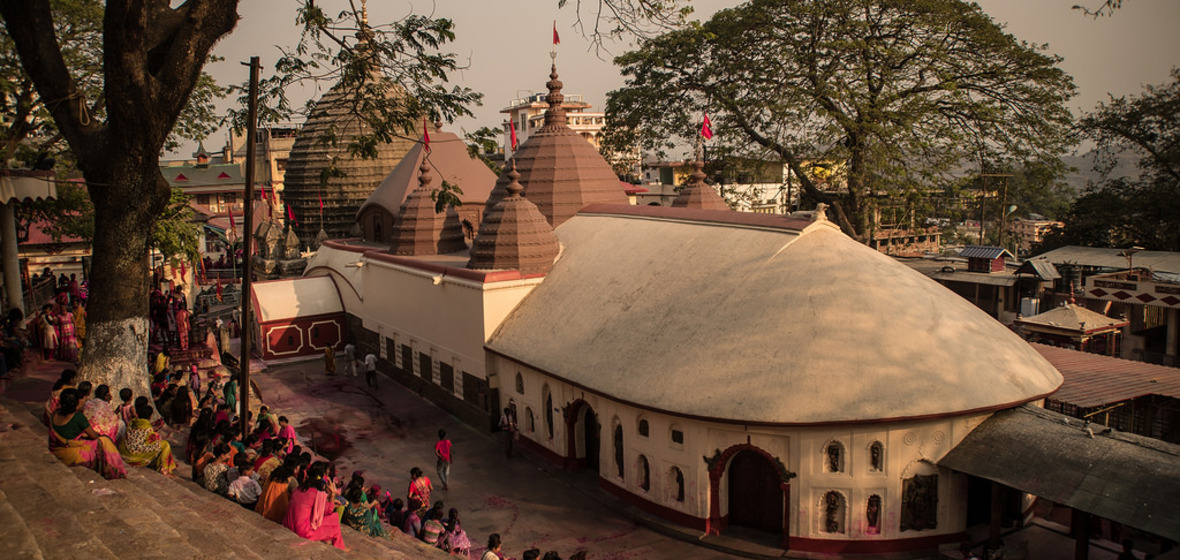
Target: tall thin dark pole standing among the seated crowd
(252,133)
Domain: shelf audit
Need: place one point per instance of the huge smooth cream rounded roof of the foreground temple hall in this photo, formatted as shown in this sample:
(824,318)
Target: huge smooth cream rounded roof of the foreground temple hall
(761,319)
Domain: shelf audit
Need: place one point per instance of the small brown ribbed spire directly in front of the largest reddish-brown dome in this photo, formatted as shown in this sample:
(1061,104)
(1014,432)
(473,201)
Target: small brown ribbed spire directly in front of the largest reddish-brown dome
(515,235)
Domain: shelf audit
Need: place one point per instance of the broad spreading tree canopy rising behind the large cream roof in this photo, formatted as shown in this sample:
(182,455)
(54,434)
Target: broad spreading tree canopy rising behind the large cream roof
(897,96)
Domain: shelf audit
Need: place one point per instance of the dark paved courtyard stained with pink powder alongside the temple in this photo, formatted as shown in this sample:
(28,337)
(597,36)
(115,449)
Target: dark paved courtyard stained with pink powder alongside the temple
(530,502)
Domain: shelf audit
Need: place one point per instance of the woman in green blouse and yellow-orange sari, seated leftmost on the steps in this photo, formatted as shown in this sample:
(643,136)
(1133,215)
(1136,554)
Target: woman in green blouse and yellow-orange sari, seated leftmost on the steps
(75,443)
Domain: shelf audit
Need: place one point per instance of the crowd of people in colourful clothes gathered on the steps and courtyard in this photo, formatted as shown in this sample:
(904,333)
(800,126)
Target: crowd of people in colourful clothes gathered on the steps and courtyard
(267,471)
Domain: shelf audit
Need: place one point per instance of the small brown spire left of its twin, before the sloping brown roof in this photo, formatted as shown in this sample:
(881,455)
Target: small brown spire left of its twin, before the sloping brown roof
(419,229)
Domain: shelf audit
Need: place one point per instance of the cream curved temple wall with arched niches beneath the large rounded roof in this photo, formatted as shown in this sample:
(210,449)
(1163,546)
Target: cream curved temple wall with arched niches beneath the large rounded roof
(908,450)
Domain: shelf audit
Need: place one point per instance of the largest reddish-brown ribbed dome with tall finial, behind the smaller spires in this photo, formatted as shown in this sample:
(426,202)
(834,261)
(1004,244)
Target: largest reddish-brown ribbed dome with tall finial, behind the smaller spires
(560,170)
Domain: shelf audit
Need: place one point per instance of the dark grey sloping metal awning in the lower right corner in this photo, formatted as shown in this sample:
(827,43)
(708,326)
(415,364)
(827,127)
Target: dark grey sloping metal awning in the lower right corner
(1125,478)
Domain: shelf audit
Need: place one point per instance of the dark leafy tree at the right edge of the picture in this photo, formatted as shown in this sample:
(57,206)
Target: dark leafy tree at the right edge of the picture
(1126,212)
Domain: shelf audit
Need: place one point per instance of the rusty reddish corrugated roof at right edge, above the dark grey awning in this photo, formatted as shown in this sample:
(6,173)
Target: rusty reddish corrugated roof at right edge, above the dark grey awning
(1093,380)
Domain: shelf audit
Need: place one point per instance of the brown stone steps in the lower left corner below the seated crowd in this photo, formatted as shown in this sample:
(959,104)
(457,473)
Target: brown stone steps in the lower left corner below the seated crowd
(49,511)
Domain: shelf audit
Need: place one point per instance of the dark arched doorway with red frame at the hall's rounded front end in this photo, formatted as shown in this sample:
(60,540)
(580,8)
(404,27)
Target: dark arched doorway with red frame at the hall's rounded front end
(756,493)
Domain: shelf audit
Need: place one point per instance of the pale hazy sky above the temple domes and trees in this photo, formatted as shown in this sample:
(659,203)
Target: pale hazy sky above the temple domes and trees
(506,44)
